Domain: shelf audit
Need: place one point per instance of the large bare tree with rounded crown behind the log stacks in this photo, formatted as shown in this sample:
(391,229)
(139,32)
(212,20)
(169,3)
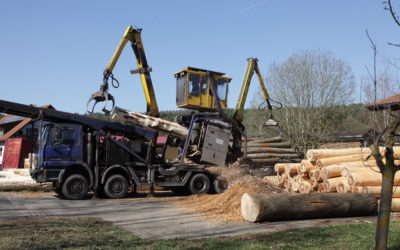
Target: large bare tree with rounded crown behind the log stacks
(310,85)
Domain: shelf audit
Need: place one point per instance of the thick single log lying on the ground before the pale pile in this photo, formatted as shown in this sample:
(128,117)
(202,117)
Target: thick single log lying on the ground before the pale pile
(288,206)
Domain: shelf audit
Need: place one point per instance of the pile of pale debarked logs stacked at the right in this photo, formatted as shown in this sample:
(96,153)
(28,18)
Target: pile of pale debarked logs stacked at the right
(351,170)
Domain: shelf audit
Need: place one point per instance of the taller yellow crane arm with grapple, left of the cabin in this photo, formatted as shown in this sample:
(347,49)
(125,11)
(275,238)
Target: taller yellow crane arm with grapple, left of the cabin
(133,35)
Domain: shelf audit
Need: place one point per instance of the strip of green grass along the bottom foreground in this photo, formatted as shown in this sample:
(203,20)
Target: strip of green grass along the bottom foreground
(93,233)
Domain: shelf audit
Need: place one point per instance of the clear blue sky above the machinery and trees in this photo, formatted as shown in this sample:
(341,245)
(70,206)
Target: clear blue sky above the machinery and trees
(54,52)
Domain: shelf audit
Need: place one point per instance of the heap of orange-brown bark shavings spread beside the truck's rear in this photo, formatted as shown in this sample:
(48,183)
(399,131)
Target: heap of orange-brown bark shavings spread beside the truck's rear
(226,206)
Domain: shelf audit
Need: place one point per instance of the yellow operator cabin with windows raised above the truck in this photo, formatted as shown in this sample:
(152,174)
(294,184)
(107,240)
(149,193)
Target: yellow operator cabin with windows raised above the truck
(194,89)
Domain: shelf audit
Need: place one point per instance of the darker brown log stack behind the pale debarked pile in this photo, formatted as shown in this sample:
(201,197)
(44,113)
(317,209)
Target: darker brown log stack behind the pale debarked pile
(263,153)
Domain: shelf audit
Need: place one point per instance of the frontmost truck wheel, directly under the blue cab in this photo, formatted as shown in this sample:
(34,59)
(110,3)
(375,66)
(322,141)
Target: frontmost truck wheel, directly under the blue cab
(75,187)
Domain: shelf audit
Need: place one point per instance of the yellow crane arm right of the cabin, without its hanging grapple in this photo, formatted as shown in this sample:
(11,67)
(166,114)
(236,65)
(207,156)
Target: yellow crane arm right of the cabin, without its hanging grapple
(252,66)
